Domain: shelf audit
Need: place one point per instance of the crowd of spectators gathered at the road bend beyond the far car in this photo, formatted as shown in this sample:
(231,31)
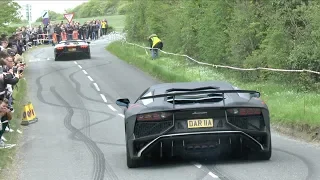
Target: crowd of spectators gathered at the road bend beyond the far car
(55,32)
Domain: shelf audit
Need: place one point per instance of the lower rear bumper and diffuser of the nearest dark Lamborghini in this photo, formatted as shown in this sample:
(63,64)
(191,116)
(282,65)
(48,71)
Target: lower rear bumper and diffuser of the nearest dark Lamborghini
(196,142)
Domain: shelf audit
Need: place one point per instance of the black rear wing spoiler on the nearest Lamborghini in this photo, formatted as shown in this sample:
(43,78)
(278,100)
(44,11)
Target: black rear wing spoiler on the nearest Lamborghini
(191,92)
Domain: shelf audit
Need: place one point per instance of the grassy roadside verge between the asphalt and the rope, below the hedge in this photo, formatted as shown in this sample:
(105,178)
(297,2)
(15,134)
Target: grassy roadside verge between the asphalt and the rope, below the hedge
(288,108)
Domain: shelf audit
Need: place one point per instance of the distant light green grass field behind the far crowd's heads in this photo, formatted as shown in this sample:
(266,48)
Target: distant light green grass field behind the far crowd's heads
(116,21)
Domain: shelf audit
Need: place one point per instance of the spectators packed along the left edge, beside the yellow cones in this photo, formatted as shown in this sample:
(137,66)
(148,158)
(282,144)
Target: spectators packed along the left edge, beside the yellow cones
(11,71)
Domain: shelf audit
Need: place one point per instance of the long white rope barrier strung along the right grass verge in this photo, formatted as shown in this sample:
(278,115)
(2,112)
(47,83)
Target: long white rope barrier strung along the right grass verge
(123,39)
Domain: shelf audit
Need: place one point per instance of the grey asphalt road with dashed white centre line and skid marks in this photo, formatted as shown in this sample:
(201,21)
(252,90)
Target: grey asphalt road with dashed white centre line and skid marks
(80,132)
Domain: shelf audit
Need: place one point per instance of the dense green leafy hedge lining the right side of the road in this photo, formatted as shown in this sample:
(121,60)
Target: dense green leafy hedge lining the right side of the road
(247,33)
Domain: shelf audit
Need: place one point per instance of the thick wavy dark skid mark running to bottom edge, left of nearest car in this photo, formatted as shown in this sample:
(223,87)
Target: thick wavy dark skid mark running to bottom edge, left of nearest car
(99,159)
